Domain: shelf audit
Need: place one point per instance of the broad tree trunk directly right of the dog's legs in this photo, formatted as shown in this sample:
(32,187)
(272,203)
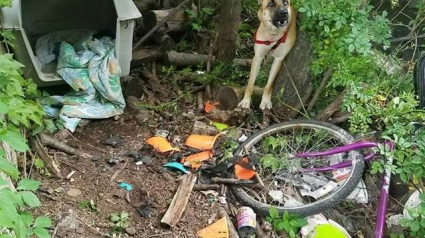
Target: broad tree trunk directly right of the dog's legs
(288,100)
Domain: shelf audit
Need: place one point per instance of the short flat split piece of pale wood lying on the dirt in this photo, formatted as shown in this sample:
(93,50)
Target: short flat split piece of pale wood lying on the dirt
(180,200)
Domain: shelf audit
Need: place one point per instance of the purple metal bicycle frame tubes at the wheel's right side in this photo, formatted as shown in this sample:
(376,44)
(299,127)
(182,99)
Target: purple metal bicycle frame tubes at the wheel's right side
(384,195)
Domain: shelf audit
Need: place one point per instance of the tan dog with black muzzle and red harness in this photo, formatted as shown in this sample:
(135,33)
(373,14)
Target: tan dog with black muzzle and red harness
(275,36)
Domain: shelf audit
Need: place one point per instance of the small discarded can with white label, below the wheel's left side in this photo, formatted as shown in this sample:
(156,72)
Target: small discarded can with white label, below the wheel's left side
(246,221)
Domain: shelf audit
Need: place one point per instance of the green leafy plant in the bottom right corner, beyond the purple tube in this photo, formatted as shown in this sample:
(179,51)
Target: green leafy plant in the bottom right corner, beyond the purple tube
(416,222)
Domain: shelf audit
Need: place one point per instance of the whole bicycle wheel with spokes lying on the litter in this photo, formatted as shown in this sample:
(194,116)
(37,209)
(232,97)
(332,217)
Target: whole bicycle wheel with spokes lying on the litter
(290,183)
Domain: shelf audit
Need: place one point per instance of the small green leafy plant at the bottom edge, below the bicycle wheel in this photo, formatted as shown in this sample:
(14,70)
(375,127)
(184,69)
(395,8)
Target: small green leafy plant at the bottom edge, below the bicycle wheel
(290,223)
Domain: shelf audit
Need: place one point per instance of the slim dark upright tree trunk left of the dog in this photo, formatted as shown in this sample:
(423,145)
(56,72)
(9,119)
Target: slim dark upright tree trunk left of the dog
(230,17)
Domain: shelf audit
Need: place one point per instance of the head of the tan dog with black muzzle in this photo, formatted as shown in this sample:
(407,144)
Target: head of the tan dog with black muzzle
(275,13)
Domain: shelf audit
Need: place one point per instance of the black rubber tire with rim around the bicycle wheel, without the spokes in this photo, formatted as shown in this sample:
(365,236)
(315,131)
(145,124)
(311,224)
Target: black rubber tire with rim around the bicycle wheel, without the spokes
(316,207)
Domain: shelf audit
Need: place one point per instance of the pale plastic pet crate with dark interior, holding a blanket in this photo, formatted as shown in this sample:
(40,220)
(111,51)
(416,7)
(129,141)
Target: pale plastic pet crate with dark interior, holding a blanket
(31,19)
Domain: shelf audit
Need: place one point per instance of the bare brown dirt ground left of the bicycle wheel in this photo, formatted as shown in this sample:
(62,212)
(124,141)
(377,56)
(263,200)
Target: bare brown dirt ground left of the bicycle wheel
(151,185)
